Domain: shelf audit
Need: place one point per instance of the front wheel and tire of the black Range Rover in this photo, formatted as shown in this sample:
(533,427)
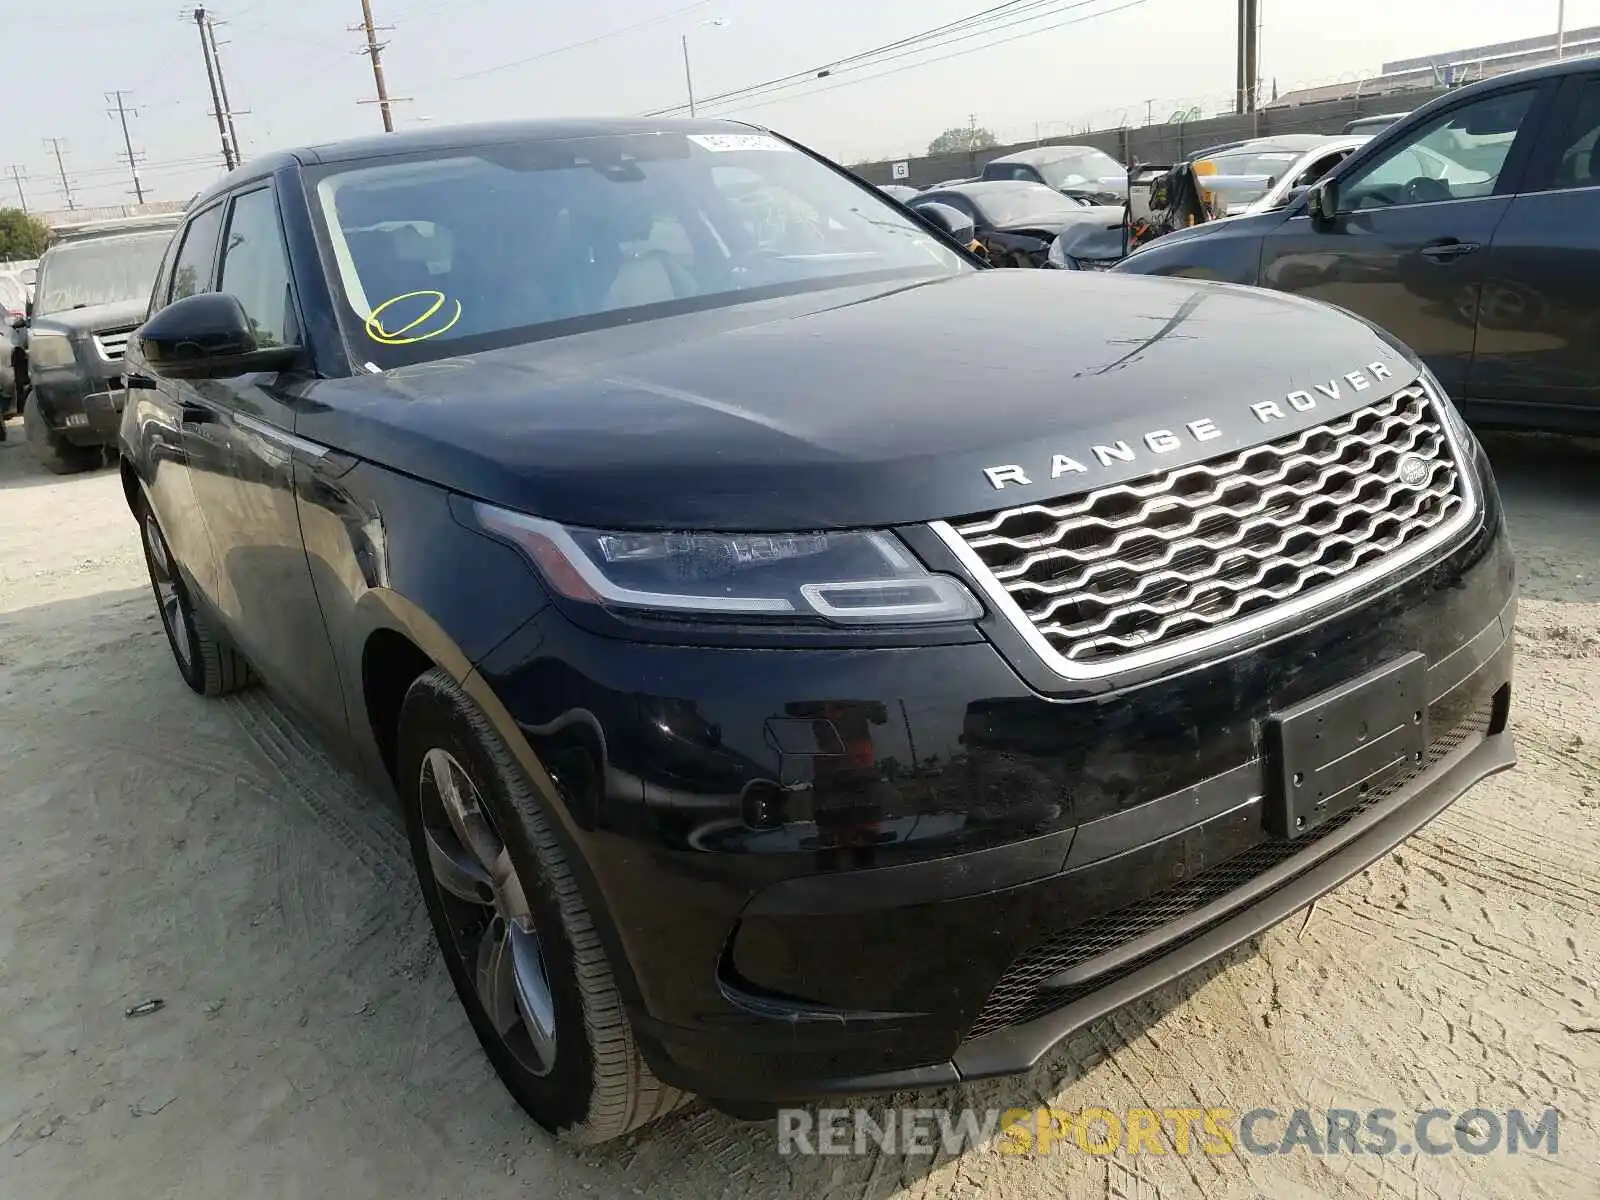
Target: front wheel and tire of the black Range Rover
(518,938)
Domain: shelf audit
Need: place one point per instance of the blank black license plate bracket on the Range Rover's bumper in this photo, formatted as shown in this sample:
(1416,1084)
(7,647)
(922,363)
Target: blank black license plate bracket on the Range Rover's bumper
(1329,753)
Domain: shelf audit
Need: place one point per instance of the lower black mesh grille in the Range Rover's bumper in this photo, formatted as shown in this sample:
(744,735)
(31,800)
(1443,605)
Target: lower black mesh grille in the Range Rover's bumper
(1018,998)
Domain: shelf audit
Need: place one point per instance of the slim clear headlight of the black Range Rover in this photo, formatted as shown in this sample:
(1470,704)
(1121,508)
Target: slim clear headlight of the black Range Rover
(862,578)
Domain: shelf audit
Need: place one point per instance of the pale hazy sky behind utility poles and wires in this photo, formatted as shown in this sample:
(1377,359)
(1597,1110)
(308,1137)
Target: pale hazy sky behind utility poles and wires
(295,71)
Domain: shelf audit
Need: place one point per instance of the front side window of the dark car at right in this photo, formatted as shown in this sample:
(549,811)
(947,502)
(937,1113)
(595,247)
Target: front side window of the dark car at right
(1457,156)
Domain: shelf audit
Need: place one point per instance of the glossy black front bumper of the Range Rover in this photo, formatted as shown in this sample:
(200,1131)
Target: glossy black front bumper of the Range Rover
(874,870)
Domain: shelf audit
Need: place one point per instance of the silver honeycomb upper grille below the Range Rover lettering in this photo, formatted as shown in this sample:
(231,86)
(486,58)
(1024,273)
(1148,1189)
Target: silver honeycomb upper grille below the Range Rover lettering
(1174,559)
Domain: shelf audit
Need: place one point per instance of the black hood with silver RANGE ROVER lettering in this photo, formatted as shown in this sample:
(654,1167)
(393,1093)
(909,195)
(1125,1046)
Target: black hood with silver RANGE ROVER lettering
(865,407)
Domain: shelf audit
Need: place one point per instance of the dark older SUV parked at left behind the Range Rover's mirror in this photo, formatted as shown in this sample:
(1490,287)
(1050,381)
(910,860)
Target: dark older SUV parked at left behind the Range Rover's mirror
(94,290)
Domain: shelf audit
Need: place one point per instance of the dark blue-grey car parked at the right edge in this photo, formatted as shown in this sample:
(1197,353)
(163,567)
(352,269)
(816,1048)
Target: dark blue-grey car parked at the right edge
(1471,231)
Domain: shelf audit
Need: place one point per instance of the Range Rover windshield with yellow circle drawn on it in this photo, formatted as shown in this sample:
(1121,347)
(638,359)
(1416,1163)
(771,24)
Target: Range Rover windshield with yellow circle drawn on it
(462,250)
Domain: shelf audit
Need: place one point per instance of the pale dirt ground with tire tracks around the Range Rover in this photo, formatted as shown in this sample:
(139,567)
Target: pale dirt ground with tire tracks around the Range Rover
(161,846)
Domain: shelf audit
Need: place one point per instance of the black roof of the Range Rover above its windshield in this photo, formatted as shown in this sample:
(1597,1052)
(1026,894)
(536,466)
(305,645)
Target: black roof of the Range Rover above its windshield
(462,138)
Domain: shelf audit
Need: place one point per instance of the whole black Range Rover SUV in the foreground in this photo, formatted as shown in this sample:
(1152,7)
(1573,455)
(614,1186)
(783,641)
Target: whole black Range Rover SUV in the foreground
(807,662)
